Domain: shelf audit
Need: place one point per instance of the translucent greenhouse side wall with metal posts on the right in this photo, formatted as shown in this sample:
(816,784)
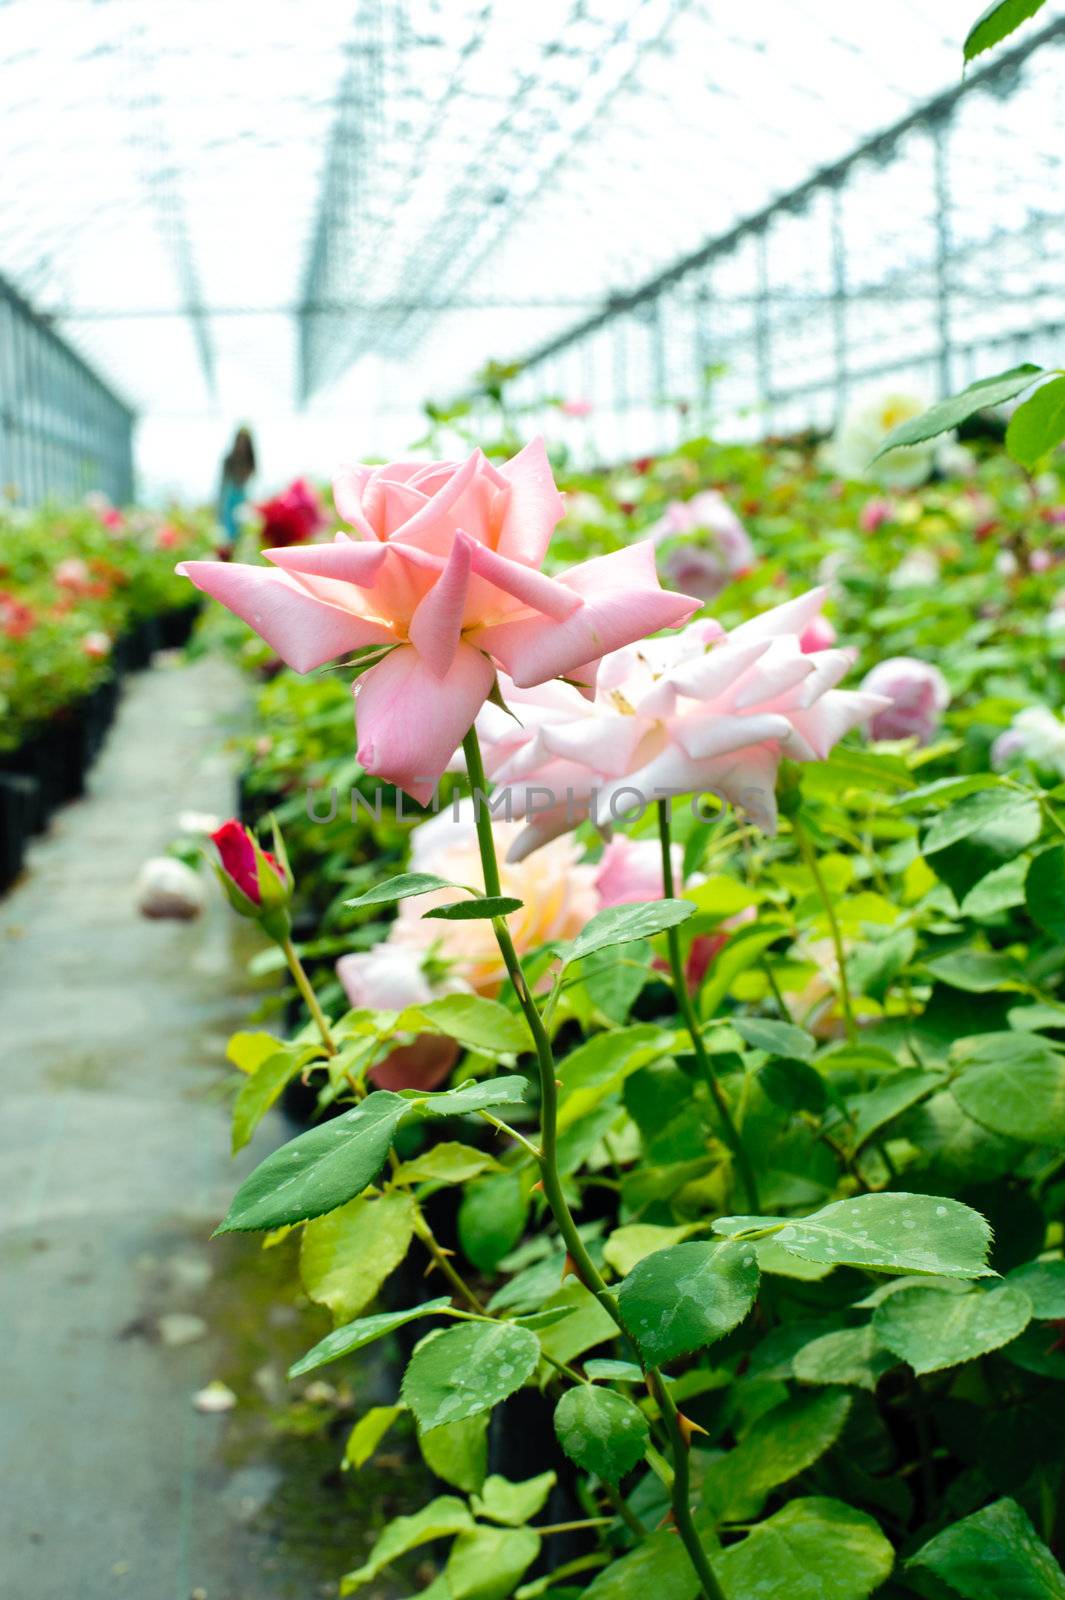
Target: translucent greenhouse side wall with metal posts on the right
(872,273)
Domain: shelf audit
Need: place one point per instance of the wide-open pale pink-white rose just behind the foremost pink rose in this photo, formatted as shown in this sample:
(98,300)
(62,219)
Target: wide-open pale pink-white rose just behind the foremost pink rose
(701,713)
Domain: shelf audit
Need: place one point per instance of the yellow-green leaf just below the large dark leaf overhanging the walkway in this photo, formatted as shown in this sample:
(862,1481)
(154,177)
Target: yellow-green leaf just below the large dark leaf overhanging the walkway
(346,1257)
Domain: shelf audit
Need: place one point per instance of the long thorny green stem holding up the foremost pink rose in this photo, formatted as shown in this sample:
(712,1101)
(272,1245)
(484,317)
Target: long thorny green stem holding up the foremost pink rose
(584,1266)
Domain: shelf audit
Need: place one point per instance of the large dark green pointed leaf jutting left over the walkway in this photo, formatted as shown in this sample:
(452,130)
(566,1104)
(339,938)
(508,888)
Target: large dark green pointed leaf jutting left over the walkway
(321,1170)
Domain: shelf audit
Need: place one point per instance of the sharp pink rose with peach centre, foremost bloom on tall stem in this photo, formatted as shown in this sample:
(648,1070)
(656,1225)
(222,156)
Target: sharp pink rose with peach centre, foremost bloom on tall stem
(444,570)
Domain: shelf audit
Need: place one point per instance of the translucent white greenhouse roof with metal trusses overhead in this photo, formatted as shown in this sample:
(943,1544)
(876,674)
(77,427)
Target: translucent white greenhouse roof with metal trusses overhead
(236,206)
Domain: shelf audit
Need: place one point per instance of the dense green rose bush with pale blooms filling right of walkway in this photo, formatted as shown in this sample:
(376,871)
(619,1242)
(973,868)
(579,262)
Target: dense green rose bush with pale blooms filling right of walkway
(732,1231)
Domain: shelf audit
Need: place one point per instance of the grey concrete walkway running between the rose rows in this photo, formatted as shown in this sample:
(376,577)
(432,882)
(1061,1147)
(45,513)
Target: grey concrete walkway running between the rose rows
(114,1150)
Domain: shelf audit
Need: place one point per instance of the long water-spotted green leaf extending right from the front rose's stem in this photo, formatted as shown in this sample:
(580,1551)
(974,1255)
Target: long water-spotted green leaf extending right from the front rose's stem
(895,1233)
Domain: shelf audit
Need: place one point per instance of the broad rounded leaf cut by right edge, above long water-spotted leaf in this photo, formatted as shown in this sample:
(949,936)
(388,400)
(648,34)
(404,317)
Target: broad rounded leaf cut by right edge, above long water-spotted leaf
(1018,1090)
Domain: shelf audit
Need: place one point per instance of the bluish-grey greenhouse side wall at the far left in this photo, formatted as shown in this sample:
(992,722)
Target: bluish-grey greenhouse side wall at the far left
(63,431)
